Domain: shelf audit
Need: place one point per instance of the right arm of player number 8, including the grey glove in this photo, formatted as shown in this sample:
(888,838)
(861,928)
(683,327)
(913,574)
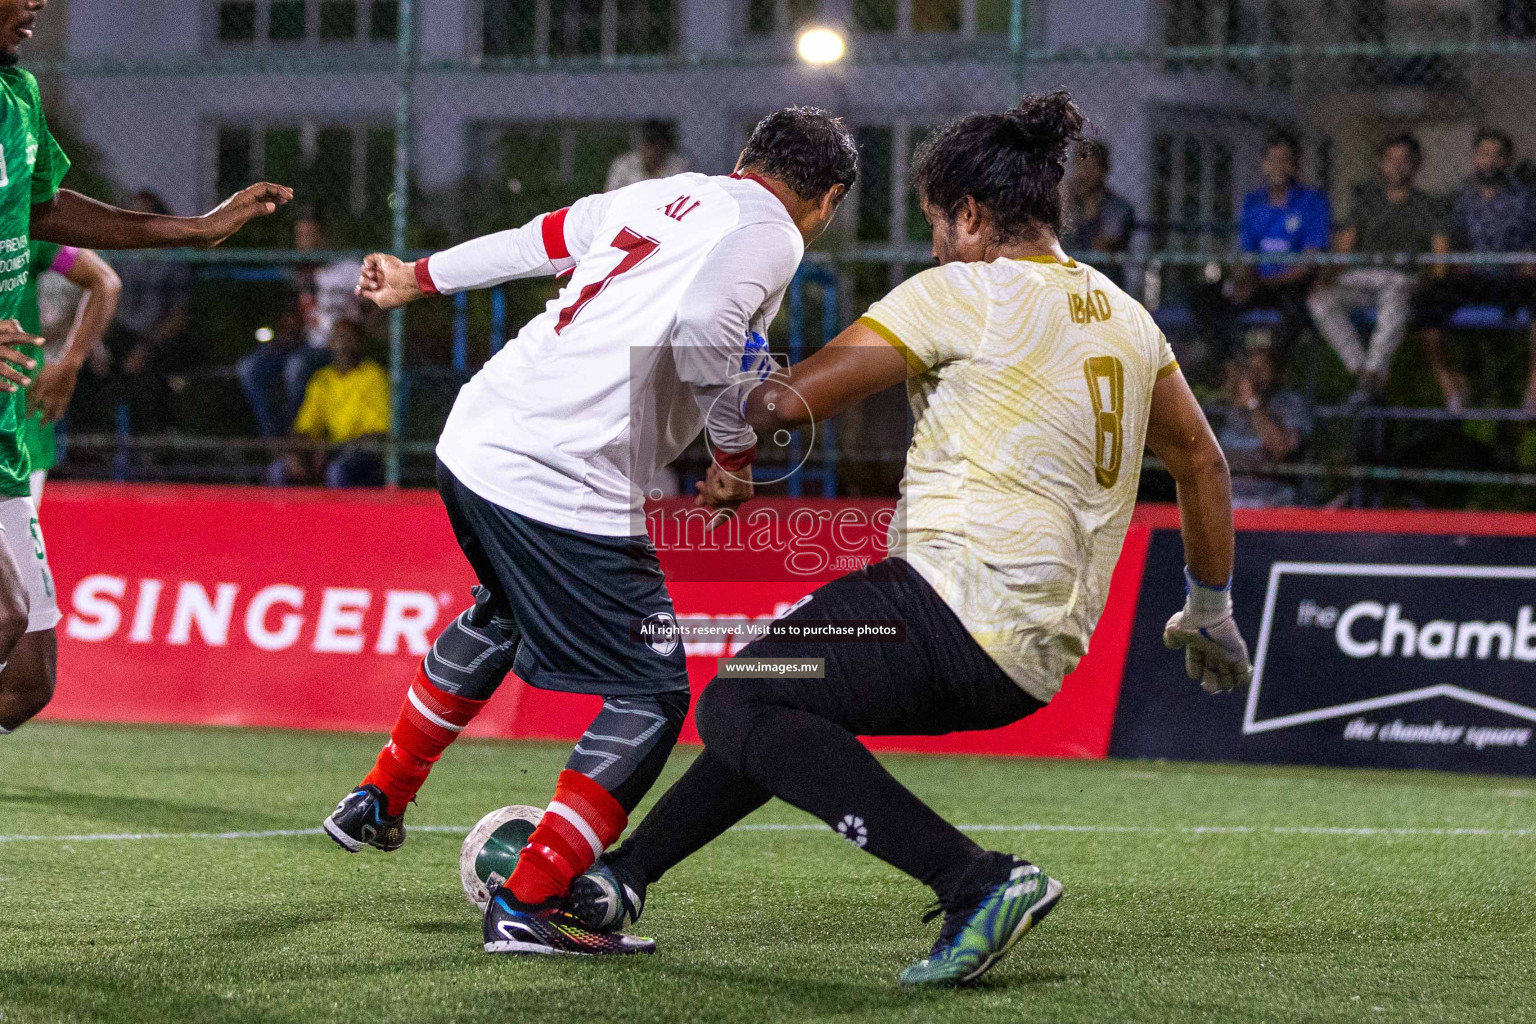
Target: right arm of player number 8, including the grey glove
(1216,655)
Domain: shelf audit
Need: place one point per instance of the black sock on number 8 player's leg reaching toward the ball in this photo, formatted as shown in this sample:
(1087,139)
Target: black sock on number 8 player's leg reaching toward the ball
(704,804)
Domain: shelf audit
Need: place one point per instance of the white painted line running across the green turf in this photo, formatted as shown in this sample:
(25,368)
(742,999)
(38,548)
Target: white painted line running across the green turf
(1096,830)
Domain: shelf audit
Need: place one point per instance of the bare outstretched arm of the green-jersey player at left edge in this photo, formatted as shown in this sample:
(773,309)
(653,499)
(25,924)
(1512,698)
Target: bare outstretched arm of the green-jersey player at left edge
(74,220)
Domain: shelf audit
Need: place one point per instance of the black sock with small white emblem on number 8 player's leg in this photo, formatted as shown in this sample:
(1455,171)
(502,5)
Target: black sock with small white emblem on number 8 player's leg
(823,768)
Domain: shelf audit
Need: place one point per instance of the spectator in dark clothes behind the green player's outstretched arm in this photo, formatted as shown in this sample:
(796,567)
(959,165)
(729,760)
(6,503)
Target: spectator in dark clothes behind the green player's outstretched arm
(150,332)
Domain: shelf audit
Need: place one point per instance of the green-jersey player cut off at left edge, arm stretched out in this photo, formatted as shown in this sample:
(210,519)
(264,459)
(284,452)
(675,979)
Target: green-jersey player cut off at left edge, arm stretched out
(33,205)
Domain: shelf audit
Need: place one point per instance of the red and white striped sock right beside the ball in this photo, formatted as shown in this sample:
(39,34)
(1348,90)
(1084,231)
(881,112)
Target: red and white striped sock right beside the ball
(577,828)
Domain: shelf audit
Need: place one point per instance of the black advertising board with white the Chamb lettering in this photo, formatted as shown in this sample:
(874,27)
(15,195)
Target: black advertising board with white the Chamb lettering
(1369,650)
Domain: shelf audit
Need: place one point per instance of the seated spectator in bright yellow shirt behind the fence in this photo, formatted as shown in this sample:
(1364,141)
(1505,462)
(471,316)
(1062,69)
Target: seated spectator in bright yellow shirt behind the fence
(345,405)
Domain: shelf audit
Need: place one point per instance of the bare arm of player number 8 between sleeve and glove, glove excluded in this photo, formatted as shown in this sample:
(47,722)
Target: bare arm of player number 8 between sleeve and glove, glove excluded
(1180,437)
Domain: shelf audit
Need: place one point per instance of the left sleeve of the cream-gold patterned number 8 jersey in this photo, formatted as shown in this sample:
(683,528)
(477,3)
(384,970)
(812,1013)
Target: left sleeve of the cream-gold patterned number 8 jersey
(932,319)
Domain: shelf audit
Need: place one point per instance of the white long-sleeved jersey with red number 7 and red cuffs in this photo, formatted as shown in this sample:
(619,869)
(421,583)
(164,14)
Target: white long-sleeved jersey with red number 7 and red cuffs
(663,323)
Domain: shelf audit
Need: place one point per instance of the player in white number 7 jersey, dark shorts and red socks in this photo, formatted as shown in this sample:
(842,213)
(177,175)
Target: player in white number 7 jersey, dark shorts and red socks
(654,339)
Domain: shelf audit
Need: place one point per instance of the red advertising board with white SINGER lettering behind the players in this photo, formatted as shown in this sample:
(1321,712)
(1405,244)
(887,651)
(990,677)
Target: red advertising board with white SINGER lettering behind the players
(310,610)
